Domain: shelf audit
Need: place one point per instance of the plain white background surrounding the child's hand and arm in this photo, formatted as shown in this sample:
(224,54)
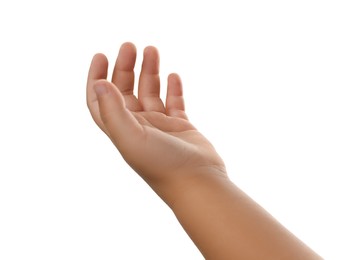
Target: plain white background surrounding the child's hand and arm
(277,86)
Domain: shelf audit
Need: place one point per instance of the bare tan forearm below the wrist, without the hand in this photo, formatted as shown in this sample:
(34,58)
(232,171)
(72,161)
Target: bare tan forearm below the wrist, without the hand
(225,223)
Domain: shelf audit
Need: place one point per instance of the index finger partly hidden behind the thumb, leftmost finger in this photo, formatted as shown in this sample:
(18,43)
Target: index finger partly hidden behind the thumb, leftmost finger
(97,71)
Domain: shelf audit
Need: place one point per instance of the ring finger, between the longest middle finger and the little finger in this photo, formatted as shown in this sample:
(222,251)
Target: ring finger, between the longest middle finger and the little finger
(149,82)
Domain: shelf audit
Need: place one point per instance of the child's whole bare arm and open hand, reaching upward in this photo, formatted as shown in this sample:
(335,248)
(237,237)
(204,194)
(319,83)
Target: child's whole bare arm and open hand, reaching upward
(159,142)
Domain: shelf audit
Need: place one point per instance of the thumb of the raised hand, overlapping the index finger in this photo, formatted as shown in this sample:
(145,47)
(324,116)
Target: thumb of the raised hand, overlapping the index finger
(120,124)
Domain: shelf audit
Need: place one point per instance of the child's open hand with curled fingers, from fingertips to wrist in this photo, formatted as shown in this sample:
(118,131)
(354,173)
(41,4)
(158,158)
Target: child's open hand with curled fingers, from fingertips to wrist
(155,139)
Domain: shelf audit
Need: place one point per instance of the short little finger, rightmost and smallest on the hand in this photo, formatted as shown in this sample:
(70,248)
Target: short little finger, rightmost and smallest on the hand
(174,102)
